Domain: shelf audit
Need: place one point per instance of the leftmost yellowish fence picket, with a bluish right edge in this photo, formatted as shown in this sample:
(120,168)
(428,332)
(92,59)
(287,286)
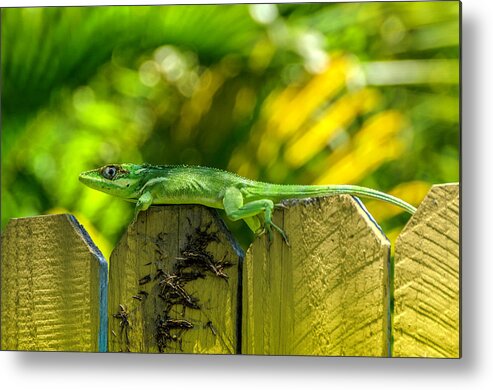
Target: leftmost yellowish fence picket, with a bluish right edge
(53,287)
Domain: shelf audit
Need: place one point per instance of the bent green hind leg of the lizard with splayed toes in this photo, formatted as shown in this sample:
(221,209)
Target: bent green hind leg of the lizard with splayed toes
(235,210)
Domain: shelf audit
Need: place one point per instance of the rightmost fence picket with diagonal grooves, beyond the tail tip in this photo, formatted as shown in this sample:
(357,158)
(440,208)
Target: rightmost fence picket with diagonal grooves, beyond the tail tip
(426,278)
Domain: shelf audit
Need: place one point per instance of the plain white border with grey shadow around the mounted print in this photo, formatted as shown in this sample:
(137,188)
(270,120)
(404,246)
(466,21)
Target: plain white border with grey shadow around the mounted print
(124,371)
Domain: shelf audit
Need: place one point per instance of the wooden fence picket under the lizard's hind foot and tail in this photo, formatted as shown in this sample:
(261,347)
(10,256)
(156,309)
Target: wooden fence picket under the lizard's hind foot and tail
(327,294)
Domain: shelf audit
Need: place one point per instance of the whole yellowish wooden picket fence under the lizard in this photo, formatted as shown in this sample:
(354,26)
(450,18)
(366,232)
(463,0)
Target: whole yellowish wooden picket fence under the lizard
(179,283)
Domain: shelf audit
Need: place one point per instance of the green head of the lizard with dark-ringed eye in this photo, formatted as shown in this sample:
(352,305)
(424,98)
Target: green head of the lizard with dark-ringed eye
(122,180)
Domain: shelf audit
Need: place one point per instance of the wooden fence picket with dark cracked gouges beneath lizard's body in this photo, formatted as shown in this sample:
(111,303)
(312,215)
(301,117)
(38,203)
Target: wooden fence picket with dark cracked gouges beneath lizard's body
(174,284)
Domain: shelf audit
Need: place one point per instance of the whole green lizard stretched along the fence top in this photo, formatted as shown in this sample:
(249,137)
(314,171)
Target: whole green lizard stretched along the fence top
(239,197)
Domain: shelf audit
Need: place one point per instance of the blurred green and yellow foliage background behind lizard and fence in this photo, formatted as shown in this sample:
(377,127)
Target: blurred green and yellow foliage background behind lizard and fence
(361,93)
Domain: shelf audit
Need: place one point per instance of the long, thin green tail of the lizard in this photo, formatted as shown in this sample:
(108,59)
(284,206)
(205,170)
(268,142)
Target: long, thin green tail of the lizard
(278,192)
